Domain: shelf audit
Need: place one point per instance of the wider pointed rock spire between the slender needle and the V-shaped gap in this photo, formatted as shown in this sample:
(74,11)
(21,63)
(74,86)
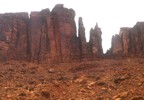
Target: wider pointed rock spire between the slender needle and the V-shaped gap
(96,41)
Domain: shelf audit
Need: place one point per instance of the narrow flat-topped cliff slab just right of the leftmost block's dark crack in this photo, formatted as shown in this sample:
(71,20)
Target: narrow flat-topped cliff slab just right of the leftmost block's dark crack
(36,34)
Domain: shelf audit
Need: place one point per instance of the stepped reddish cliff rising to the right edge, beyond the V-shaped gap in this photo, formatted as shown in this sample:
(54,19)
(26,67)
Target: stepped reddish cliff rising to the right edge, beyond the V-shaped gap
(129,40)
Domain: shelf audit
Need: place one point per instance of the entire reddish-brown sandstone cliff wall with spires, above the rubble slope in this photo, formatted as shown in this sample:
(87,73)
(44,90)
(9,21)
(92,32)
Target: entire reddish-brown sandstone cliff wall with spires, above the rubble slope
(51,36)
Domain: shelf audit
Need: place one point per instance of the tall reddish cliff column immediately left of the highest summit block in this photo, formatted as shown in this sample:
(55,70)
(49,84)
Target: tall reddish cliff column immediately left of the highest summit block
(48,29)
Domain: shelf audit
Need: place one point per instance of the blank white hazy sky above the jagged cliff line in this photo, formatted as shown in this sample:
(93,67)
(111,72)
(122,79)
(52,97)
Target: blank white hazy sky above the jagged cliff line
(110,14)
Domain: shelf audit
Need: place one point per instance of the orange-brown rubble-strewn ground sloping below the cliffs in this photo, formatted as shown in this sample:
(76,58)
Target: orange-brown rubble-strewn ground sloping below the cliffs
(103,79)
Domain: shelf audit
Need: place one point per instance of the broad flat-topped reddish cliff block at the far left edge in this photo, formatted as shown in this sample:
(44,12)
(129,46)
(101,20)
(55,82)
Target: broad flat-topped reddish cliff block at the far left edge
(14,36)
